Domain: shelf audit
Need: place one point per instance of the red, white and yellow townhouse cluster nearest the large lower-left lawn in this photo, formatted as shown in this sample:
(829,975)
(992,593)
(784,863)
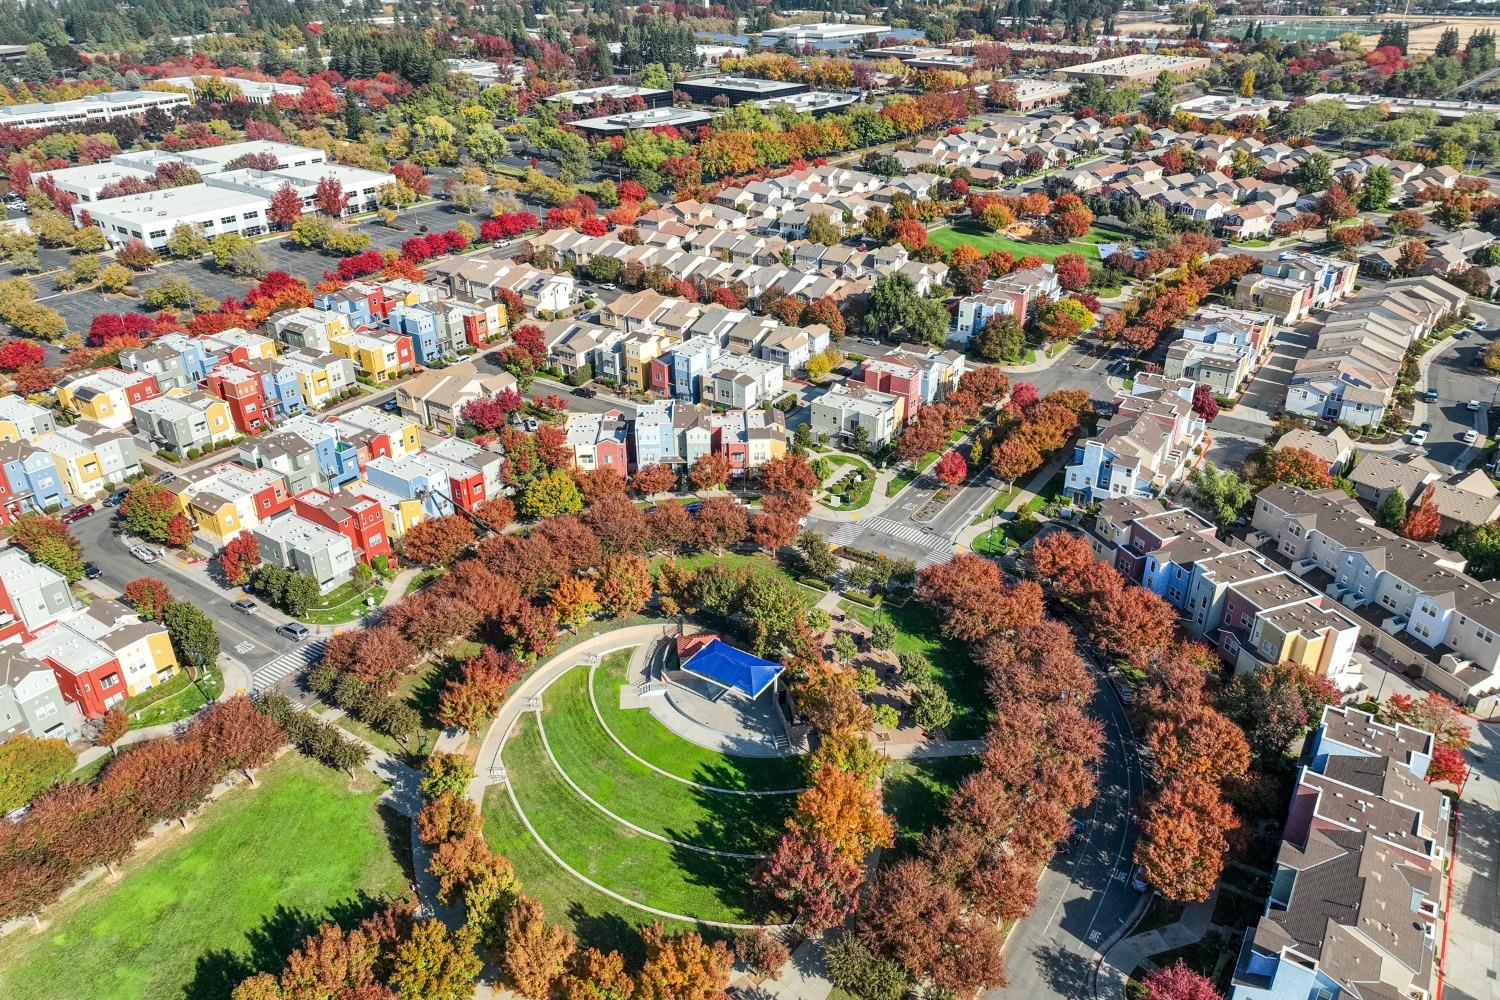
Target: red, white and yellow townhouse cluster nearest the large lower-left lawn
(62,662)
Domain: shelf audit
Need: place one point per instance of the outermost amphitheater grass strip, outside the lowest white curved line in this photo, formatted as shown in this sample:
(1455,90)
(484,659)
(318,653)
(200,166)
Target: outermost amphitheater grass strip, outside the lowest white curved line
(596,920)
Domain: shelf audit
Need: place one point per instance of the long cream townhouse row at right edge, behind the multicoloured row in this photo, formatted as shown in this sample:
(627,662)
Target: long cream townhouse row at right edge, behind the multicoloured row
(1418,605)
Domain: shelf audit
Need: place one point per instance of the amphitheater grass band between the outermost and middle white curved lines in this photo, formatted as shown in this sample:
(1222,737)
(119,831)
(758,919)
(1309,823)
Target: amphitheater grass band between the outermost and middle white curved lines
(641,869)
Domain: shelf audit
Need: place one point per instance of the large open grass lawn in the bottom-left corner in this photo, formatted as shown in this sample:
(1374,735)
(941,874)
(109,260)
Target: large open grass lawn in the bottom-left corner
(233,896)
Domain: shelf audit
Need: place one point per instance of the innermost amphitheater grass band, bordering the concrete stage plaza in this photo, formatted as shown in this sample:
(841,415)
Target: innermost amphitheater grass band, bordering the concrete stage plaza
(659,746)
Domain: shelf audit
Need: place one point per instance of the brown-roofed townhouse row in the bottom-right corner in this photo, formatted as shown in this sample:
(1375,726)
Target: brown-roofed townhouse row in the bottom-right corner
(1357,905)
